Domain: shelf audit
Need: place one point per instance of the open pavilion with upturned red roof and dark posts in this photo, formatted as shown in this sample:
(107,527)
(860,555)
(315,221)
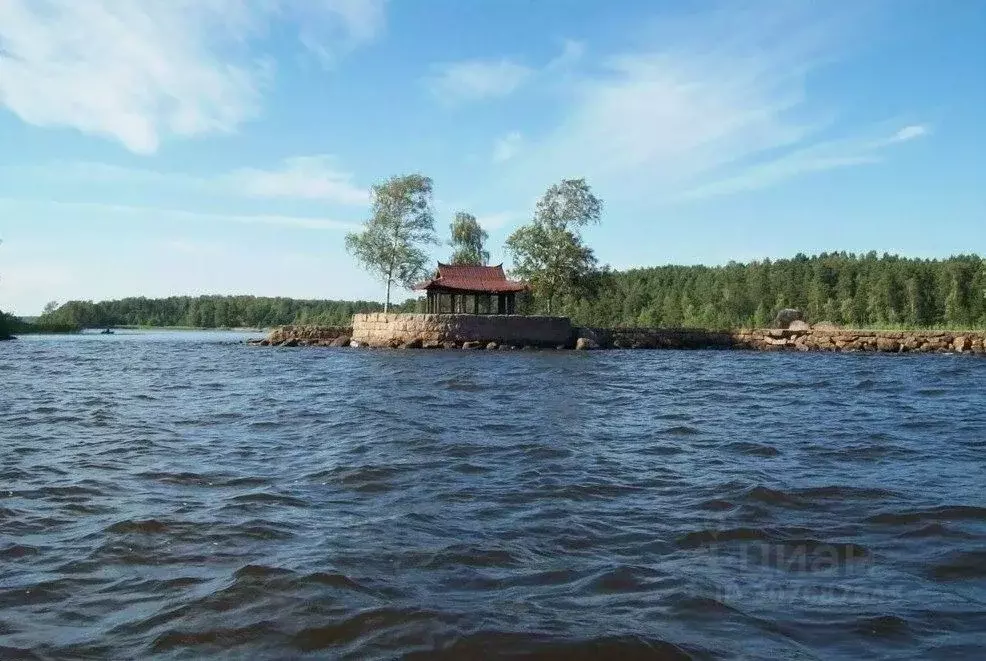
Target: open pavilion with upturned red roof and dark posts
(486,289)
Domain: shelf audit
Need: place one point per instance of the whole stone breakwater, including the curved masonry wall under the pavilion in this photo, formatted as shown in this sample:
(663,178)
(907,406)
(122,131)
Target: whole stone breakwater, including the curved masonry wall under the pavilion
(458,331)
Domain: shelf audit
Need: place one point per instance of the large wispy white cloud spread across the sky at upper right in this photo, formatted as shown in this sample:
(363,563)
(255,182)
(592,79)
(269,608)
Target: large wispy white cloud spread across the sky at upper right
(717,99)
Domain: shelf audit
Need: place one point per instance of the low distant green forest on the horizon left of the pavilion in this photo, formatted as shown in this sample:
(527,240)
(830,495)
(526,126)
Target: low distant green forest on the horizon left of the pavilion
(203,312)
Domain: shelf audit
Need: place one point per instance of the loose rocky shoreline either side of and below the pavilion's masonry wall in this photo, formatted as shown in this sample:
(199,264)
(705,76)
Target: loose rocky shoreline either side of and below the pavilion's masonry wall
(801,339)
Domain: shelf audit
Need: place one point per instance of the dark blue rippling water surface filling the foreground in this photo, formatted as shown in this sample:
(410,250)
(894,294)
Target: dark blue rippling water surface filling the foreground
(185,496)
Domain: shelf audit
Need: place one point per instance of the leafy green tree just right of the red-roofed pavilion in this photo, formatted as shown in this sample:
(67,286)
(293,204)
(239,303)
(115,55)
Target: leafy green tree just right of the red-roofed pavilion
(549,252)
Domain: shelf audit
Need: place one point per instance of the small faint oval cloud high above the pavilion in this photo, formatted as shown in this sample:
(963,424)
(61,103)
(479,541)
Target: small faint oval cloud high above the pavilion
(478,79)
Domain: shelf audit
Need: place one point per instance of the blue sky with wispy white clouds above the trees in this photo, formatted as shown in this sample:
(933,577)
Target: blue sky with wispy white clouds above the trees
(161,147)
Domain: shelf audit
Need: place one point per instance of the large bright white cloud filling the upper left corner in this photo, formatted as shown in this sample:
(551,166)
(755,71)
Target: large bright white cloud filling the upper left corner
(138,71)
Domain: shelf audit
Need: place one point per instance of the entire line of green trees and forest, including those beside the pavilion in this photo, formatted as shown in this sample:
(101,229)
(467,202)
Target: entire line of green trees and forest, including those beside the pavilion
(858,290)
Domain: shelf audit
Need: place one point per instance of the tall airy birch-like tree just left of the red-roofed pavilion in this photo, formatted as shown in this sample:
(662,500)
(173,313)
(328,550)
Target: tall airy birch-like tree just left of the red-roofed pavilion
(390,244)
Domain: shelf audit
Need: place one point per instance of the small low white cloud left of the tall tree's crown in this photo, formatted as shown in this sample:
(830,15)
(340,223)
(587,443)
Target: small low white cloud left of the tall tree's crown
(307,177)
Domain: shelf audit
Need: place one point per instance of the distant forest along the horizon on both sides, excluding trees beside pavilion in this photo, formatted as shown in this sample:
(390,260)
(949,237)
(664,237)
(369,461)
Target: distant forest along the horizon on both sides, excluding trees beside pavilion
(847,289)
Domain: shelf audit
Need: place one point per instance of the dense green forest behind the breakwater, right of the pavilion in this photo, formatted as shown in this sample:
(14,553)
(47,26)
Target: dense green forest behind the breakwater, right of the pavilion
(847,289)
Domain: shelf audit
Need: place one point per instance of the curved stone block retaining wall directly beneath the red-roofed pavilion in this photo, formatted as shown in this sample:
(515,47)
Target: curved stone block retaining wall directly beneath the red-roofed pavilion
(438,330)
